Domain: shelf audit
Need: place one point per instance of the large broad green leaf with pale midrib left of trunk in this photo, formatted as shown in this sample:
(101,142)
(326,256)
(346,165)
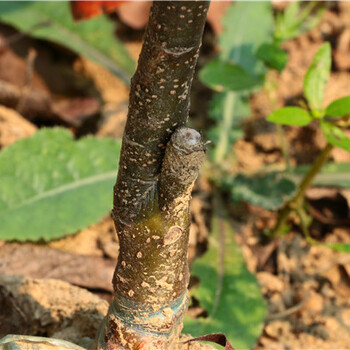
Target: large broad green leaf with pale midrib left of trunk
(51,186)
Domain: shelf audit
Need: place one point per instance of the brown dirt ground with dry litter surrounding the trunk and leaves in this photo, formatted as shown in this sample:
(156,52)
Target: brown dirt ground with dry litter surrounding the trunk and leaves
(307,288)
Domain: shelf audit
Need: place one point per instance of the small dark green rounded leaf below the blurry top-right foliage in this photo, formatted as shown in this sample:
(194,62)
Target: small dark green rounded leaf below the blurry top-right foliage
(273,56)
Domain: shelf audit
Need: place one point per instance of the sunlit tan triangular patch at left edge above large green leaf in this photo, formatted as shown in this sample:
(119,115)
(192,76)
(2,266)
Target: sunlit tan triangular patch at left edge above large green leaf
(13,127)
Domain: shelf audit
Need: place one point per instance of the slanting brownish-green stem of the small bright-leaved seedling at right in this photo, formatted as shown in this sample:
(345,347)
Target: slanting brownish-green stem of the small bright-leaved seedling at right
(296,202)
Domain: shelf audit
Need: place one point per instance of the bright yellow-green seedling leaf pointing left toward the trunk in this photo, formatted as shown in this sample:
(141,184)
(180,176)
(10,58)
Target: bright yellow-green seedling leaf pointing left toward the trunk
(290,116)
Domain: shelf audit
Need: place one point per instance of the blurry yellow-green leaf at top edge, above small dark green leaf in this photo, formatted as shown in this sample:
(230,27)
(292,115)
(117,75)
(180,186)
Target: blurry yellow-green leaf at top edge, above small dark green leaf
(297,19)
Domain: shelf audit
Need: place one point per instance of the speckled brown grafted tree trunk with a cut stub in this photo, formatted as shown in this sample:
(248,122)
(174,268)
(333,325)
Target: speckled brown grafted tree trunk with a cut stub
(159,163)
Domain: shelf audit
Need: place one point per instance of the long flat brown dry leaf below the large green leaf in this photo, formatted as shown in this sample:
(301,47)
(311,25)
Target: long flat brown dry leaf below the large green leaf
(43,262)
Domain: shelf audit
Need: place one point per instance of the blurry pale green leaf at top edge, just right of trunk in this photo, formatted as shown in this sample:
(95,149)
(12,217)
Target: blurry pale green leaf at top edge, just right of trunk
(240,39)
